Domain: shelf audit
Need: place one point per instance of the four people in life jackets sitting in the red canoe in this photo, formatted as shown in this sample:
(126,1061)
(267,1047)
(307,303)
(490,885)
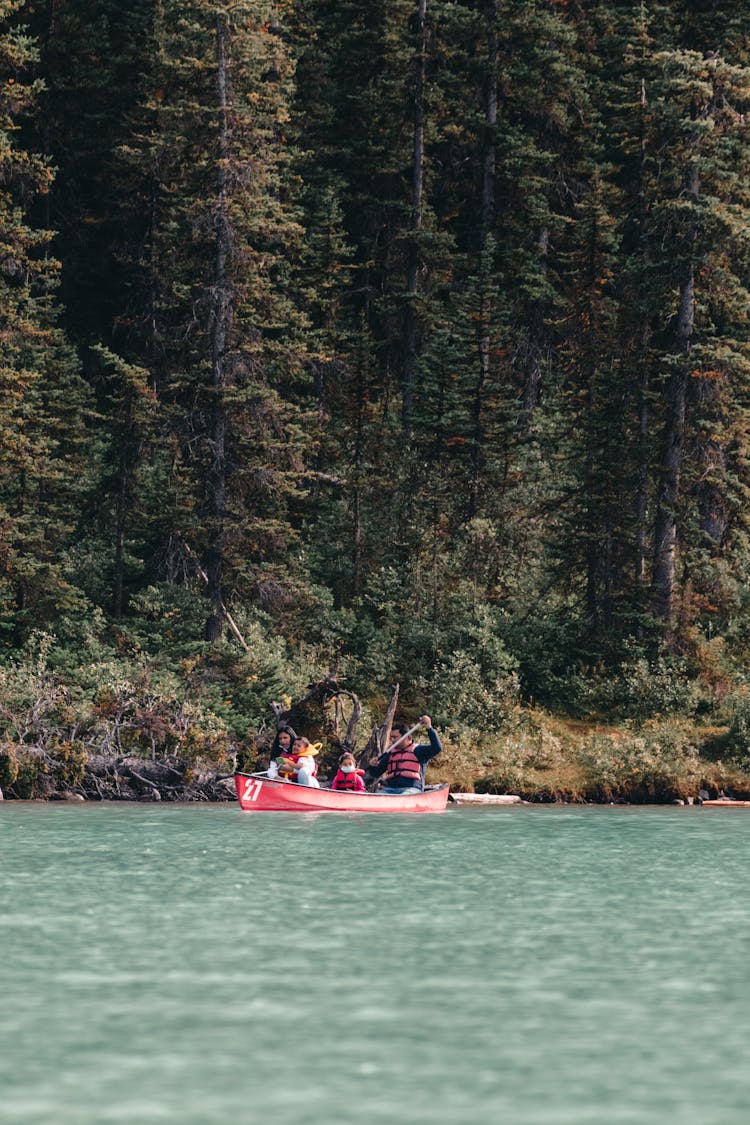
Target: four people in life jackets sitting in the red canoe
(402,767)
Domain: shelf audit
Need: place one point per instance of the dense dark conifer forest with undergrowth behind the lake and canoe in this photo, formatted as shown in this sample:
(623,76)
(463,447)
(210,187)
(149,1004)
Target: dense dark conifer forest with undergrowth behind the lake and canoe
(406,340)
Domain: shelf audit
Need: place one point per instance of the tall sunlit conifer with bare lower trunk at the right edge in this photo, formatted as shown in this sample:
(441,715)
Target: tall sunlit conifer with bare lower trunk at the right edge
(694,194)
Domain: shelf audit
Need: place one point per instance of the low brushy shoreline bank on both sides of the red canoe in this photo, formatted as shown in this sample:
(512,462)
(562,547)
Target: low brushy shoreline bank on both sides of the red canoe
(627,769)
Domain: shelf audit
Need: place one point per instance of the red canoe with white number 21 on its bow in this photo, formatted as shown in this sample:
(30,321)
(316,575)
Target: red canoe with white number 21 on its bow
(267,795)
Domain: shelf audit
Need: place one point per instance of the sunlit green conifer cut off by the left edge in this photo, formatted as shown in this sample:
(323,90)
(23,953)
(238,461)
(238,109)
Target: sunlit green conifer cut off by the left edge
(42,398)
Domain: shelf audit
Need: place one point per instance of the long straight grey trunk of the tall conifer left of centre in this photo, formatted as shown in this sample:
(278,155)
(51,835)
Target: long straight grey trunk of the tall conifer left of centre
(222,317)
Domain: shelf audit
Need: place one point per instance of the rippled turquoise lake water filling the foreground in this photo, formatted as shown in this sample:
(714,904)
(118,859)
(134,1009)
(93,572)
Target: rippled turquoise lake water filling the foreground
(198,966)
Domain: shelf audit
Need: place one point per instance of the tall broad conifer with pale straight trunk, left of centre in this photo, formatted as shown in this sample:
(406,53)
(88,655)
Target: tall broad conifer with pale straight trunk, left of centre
(218,327)
